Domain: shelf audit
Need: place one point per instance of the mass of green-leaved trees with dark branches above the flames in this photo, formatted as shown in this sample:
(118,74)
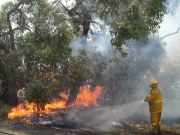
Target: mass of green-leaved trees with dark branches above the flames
(35,38)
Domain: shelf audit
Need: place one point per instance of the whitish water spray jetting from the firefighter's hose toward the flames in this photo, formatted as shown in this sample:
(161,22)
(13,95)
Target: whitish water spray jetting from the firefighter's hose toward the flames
(103,118)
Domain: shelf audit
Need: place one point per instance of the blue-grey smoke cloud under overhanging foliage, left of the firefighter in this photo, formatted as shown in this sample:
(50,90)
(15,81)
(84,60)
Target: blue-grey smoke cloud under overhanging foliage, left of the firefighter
(130,75)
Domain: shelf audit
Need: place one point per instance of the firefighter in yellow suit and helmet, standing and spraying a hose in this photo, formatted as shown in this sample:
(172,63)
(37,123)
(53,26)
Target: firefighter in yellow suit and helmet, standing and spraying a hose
(155,100)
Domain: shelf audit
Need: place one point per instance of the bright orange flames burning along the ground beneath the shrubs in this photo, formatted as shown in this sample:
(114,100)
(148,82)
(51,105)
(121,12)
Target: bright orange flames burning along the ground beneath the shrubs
(85,98)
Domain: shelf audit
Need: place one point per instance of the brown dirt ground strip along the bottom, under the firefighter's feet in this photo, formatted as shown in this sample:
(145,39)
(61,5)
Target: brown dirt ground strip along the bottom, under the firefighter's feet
(128,127)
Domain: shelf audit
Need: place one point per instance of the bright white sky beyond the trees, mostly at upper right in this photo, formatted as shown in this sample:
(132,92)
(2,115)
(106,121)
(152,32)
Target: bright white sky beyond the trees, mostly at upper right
(169,25)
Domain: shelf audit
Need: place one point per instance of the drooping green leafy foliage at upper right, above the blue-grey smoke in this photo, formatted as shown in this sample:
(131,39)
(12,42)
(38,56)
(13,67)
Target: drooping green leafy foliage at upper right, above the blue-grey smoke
(138,22)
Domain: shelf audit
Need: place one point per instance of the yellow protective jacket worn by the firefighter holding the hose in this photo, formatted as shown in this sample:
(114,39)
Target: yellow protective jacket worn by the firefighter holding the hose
(155,100)
